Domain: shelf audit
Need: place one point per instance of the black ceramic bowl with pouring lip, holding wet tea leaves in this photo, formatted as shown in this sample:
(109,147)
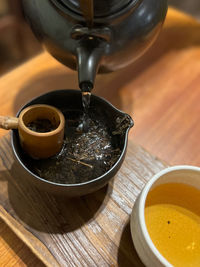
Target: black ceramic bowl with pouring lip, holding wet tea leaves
(71,100)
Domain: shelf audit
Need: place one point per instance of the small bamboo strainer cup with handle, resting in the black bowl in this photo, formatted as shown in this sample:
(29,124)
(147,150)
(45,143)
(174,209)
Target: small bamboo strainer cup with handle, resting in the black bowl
(38,145)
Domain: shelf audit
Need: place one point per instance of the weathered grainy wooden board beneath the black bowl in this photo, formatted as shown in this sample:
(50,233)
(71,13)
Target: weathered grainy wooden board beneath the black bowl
(92,230)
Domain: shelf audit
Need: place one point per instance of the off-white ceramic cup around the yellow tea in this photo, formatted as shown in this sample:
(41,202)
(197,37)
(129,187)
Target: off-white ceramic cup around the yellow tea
(144,246)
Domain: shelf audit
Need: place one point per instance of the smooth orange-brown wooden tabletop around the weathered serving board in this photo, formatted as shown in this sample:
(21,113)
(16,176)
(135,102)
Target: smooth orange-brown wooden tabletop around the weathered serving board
(161,91)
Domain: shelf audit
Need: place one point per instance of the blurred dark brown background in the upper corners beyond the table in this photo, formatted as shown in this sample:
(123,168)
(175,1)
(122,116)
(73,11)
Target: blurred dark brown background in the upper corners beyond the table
(18,44)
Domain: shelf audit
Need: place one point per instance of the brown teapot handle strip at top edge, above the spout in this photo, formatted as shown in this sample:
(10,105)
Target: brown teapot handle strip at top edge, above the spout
(87,7)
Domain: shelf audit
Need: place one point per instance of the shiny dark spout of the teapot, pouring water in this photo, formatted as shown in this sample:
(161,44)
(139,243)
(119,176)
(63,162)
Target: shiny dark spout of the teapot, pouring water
(89,54)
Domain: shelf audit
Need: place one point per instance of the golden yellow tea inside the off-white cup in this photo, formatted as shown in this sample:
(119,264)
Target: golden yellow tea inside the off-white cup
(172,216)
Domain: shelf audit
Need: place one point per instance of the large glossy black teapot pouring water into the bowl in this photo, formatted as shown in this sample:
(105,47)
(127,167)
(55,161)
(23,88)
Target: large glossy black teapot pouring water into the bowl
(95,36)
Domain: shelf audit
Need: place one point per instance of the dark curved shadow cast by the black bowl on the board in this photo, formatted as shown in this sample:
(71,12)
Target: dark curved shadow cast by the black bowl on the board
(47,213)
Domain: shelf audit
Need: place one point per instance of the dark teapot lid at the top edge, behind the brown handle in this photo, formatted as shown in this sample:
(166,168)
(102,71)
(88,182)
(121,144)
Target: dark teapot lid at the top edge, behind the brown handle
(102,8)
